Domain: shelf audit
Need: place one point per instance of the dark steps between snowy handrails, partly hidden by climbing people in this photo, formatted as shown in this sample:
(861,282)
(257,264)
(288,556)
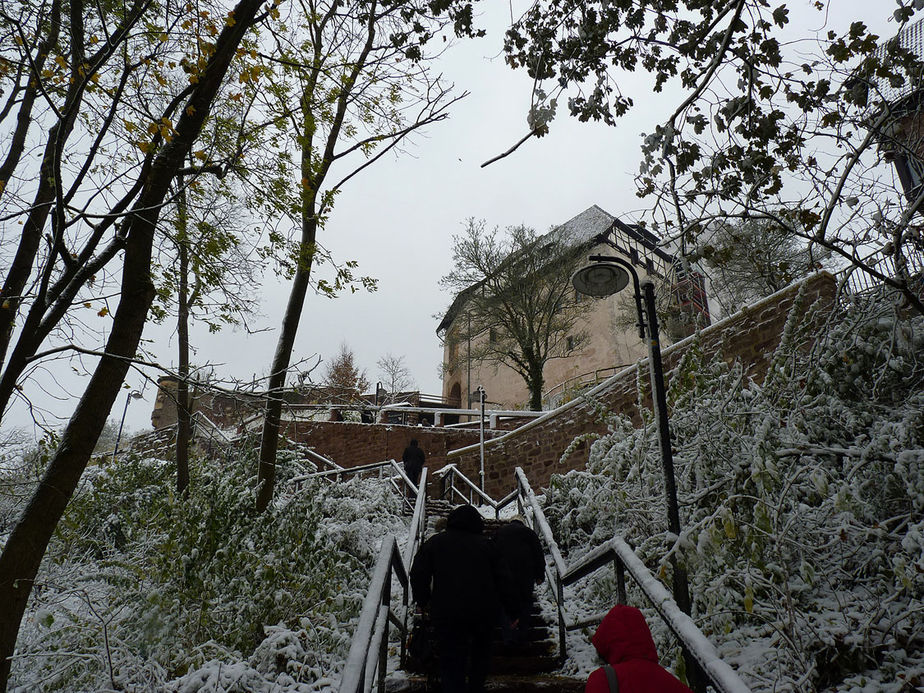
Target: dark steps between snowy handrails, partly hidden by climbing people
(524,664)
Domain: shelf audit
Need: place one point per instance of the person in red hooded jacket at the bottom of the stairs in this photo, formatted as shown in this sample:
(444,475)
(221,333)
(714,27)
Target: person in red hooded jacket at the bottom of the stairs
(624,641)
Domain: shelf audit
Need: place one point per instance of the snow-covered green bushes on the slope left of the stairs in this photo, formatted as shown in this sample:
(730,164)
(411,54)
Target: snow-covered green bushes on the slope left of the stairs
(144,590)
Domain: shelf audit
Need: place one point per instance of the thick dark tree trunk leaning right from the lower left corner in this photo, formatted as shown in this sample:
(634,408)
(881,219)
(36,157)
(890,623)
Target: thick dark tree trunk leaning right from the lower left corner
(25,548)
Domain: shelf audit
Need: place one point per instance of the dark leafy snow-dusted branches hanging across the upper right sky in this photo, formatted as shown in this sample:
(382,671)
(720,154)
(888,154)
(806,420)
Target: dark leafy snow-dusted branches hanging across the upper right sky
(777,122)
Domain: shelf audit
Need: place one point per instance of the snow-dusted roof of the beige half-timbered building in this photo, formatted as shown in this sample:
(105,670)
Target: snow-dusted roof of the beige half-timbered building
(589,228)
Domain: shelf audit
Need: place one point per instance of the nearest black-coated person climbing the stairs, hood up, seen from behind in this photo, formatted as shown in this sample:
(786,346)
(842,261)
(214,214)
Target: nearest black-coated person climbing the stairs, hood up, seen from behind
(457,576)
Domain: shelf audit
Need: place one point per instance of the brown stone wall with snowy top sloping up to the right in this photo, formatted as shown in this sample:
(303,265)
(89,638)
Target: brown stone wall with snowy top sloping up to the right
(749,336)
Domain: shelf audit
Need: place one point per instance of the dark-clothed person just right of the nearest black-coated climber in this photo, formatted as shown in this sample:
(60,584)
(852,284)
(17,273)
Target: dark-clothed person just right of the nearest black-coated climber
(521,553)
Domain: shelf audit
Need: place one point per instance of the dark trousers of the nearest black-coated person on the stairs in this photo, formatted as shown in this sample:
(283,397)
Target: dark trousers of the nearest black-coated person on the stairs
(465,653)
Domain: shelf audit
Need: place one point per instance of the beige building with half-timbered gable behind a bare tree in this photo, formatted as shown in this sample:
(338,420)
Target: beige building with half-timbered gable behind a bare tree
(613,340)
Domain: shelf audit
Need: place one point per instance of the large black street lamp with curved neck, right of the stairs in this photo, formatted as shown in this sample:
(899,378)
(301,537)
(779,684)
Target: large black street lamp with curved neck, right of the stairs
(607,276)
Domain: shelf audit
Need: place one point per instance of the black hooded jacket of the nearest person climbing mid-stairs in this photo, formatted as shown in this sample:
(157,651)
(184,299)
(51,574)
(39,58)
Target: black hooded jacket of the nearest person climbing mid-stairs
(457,575)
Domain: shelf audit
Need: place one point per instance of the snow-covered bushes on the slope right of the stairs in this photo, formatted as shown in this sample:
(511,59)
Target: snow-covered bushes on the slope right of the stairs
(802,504)
